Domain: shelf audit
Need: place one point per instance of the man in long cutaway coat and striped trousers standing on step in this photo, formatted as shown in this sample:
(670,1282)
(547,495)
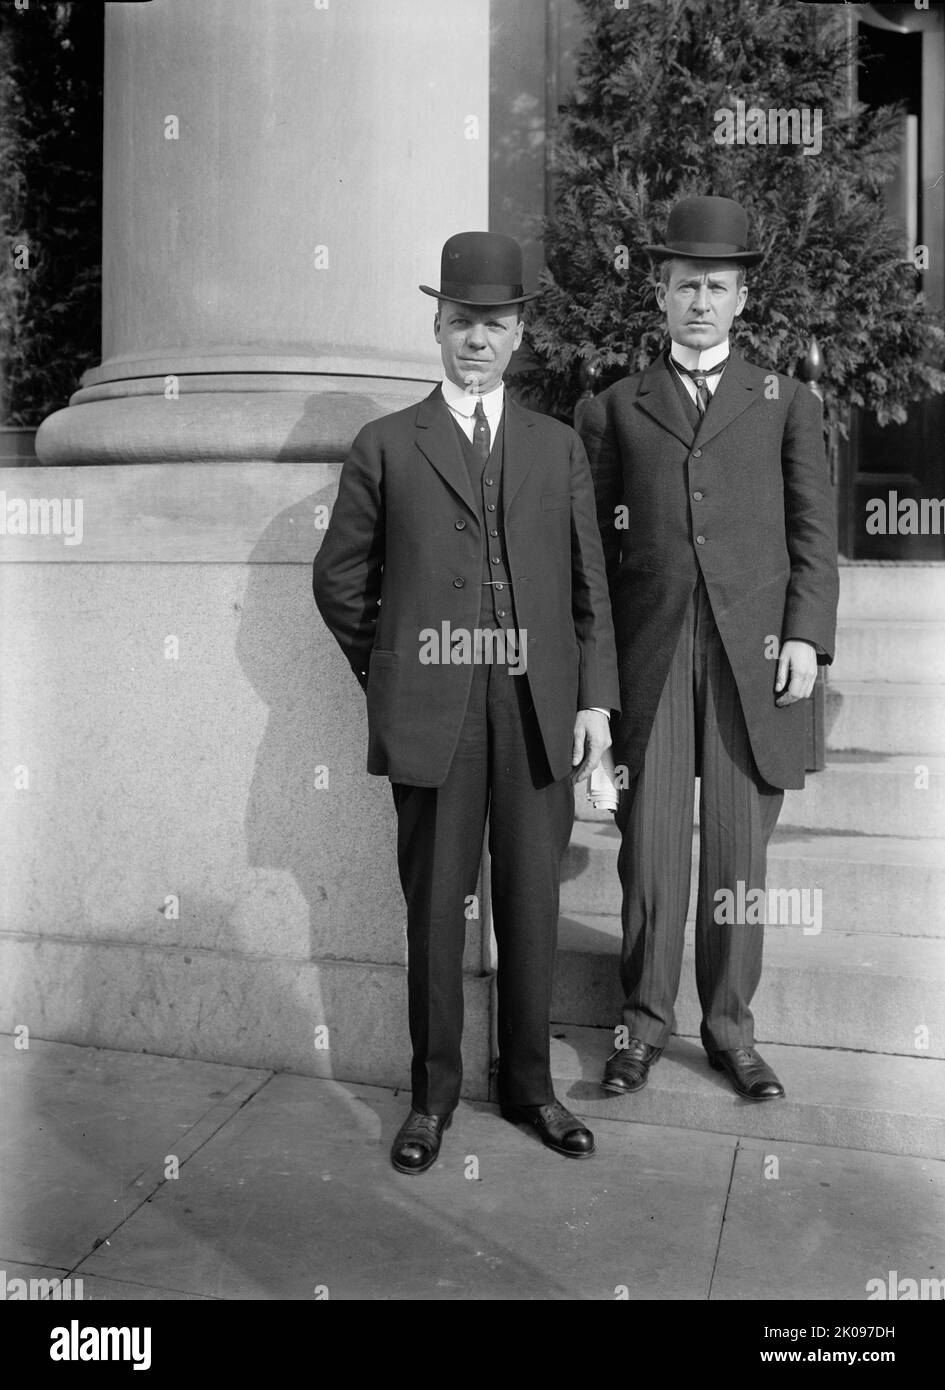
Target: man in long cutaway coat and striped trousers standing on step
(719,532)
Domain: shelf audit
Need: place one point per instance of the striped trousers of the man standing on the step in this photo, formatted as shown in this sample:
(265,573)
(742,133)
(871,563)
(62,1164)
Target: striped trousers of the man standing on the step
(700,729)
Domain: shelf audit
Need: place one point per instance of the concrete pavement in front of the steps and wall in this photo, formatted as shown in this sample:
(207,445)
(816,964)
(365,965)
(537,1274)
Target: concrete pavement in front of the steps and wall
(154,1178)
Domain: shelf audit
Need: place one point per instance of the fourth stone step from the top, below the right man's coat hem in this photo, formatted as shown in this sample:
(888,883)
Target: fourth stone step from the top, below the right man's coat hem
(873,794)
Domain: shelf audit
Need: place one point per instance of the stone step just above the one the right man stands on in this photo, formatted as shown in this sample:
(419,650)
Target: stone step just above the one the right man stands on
(840,990)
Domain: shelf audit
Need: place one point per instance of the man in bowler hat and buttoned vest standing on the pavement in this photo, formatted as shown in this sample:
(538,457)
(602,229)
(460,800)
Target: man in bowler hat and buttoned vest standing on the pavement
(462,576)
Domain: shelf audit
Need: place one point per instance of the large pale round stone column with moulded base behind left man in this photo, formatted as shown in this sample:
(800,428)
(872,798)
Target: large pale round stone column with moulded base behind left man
(279,179)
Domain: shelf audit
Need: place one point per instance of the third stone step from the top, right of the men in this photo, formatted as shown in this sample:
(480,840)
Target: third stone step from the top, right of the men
(886,718)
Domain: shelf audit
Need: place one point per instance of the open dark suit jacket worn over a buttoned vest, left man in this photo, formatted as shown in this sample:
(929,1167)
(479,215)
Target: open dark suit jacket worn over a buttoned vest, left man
(404,553)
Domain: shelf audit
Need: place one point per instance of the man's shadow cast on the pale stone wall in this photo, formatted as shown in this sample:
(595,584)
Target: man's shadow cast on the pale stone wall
(315,812)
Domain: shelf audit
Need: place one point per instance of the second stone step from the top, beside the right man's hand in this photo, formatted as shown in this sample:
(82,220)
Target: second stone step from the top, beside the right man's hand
(890,650)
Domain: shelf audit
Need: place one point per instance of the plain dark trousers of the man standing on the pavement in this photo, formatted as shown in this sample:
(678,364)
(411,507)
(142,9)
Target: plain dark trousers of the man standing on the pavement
(500,768)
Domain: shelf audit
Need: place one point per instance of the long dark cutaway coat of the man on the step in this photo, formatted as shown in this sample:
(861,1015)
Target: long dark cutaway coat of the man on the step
(754,486)
